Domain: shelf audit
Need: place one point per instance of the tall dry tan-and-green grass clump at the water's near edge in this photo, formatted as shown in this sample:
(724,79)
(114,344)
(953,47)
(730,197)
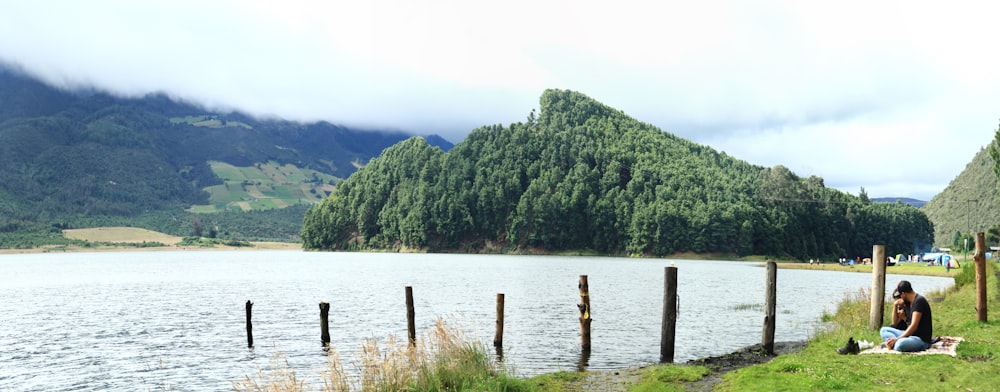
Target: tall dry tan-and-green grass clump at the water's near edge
(444,359)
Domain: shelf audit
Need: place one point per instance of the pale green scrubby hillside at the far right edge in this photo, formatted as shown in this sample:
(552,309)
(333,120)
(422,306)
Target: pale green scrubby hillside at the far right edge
(969,204)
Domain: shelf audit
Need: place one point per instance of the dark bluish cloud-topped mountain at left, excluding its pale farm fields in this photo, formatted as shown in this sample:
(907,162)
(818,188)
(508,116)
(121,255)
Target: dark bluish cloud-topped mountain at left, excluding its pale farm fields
(82,157)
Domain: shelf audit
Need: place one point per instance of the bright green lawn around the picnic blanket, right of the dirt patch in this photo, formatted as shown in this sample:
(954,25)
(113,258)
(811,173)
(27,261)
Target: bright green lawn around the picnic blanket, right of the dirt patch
(818,367)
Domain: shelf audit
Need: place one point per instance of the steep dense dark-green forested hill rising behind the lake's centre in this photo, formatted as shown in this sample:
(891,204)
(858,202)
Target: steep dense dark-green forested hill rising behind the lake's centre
(582,175)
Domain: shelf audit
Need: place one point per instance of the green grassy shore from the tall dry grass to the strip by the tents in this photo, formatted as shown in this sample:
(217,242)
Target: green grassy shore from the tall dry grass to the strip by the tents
(817,366)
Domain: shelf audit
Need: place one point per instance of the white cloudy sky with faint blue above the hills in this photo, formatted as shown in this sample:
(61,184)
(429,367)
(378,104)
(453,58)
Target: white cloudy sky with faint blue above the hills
(895,97)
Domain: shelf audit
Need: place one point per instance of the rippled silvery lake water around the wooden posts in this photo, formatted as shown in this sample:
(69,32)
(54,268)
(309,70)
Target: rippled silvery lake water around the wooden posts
(176,320)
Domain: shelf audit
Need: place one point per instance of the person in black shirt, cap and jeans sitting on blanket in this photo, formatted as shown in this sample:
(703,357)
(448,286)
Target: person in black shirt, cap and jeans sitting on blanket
(917,323)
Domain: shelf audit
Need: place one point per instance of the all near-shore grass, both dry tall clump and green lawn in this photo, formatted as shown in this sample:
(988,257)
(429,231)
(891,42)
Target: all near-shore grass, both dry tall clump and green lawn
(452,363)
